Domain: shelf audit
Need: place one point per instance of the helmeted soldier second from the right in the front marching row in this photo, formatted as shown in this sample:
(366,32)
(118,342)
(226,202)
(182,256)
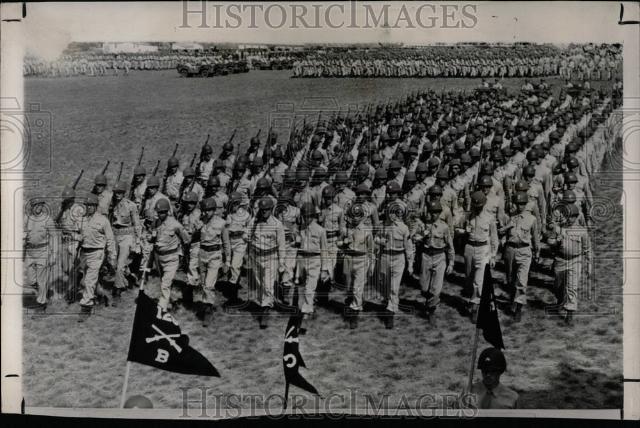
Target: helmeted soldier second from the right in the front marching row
(521,247)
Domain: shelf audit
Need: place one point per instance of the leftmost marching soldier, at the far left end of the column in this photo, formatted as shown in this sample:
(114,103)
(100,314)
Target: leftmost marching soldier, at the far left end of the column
(39,255)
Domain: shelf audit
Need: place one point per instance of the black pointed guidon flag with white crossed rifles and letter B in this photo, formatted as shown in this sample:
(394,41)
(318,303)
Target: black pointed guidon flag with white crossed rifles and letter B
(157,341)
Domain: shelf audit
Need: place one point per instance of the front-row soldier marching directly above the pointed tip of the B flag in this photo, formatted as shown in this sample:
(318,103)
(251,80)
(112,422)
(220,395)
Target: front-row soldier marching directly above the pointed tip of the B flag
(215,253)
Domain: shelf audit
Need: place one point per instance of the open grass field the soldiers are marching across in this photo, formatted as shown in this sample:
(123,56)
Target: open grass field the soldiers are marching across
(71,365)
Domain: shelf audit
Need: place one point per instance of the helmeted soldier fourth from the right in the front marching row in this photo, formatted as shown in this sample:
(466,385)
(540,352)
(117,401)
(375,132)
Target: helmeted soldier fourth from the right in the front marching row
(436,245)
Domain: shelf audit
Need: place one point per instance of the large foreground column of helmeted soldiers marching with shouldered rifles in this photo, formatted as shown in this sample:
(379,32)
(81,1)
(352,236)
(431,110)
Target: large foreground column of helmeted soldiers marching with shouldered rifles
(365,203)
